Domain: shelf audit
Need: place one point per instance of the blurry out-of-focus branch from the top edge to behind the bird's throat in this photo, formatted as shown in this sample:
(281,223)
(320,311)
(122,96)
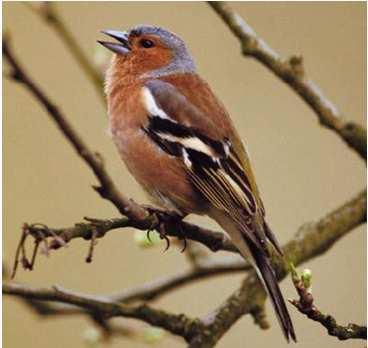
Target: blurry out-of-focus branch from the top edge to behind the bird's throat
(47,11)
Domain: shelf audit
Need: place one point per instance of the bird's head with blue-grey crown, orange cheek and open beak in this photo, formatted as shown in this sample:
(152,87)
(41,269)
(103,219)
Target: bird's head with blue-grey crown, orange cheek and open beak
(150,51)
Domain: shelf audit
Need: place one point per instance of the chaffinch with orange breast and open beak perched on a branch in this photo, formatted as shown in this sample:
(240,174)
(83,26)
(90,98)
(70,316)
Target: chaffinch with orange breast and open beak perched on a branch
(179,143)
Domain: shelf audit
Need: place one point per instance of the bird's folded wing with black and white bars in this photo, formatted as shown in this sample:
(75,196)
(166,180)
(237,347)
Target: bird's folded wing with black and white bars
(216,164)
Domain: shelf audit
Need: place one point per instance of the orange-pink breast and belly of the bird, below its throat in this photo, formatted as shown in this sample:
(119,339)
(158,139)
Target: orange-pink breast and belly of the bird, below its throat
(160,174)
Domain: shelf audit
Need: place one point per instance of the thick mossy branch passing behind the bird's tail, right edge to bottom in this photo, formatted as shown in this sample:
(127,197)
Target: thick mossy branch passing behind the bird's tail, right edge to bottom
(312,240)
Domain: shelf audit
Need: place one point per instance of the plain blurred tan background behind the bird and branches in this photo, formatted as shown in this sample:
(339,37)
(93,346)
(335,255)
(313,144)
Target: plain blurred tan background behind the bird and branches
(303,170)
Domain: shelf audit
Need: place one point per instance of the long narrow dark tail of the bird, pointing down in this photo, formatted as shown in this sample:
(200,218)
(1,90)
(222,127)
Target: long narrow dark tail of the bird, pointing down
(267,275)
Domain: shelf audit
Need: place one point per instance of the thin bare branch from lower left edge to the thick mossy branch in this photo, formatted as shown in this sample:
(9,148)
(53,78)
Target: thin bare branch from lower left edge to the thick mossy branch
(176,324)
